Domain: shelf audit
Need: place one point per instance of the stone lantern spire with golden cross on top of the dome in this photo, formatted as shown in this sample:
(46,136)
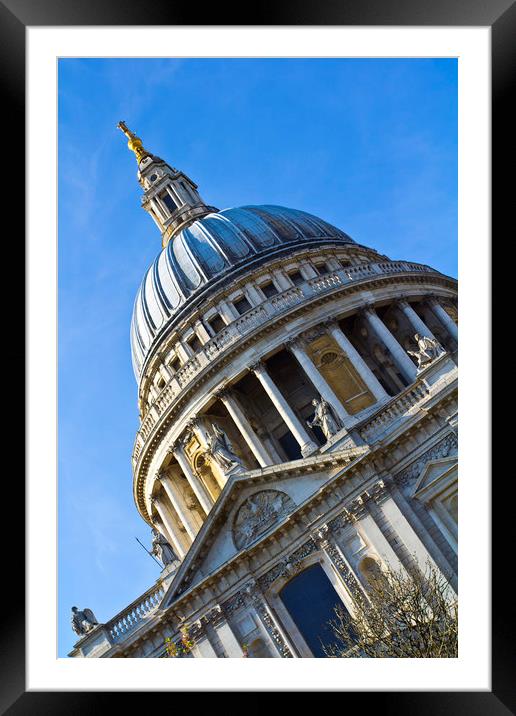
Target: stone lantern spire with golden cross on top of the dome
(169,196)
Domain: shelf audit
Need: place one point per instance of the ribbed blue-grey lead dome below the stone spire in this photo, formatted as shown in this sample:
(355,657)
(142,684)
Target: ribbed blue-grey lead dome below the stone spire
(209,250)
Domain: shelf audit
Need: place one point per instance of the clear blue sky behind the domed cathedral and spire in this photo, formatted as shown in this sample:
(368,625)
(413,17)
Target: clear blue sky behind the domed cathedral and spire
(368,145)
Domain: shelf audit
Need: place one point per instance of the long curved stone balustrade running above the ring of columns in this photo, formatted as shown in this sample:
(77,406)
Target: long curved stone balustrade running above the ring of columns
(258,316)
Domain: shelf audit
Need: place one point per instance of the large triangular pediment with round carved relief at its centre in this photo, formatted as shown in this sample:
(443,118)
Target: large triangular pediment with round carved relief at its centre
(251,505)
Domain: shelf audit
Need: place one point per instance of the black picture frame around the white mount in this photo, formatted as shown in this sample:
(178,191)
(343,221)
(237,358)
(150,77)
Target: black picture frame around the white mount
(500,15)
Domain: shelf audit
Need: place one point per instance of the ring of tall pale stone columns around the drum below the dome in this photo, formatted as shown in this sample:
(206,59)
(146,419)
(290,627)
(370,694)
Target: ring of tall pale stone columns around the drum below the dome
(175,519)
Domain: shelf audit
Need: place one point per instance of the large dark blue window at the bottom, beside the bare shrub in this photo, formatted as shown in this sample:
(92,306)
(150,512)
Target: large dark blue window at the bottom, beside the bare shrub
(310,599)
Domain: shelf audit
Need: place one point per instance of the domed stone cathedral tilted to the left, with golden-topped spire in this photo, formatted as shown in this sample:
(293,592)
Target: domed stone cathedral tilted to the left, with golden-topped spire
(297,394)
